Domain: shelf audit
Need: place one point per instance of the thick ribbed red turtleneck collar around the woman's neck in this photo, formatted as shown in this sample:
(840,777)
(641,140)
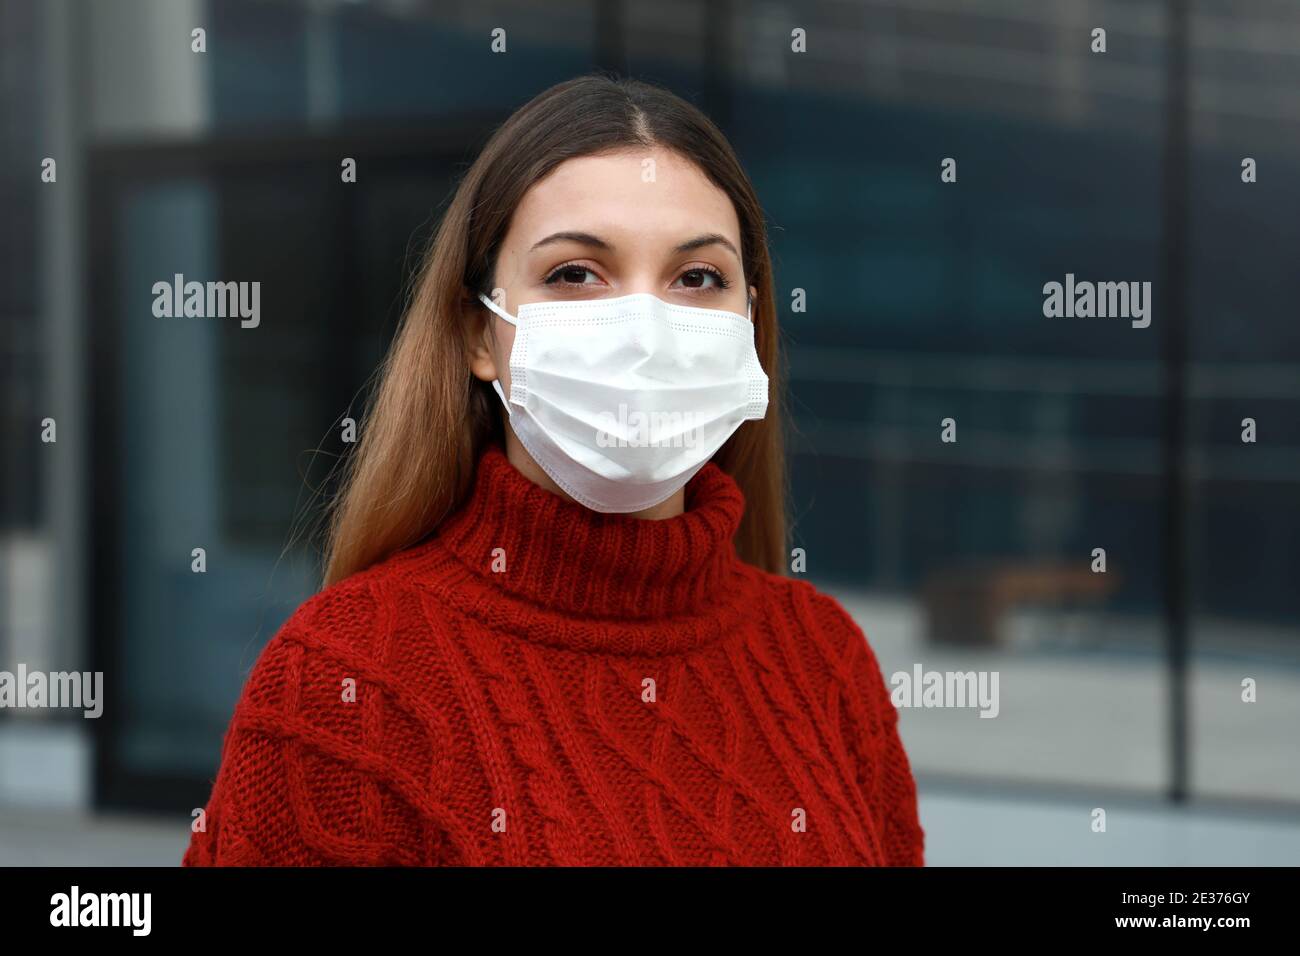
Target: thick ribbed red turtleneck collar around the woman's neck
(587,568)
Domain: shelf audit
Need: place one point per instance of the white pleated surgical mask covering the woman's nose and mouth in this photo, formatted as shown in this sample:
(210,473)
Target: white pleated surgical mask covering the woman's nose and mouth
(622,401)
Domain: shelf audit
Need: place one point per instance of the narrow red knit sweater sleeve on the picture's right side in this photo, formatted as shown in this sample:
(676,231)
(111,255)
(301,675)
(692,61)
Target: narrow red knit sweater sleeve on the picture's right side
(885,772)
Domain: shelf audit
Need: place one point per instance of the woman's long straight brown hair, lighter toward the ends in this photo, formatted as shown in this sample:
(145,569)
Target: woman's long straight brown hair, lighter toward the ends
(430,418)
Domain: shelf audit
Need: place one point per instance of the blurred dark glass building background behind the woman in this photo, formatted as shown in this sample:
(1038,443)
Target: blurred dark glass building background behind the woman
(925,302)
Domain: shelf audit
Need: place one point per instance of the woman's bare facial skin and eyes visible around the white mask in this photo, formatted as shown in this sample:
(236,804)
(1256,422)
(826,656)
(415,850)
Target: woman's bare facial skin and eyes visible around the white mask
(610,226)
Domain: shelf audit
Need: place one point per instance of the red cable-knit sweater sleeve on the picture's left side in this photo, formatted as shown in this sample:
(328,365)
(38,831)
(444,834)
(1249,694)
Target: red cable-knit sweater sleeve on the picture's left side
(300,784)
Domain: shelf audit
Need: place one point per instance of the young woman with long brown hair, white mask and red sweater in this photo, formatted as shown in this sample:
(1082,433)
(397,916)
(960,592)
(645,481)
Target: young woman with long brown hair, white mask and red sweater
(556,626)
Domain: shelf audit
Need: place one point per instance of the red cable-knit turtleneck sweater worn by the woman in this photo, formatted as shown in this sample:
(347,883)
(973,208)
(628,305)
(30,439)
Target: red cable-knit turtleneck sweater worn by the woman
(538,684)
